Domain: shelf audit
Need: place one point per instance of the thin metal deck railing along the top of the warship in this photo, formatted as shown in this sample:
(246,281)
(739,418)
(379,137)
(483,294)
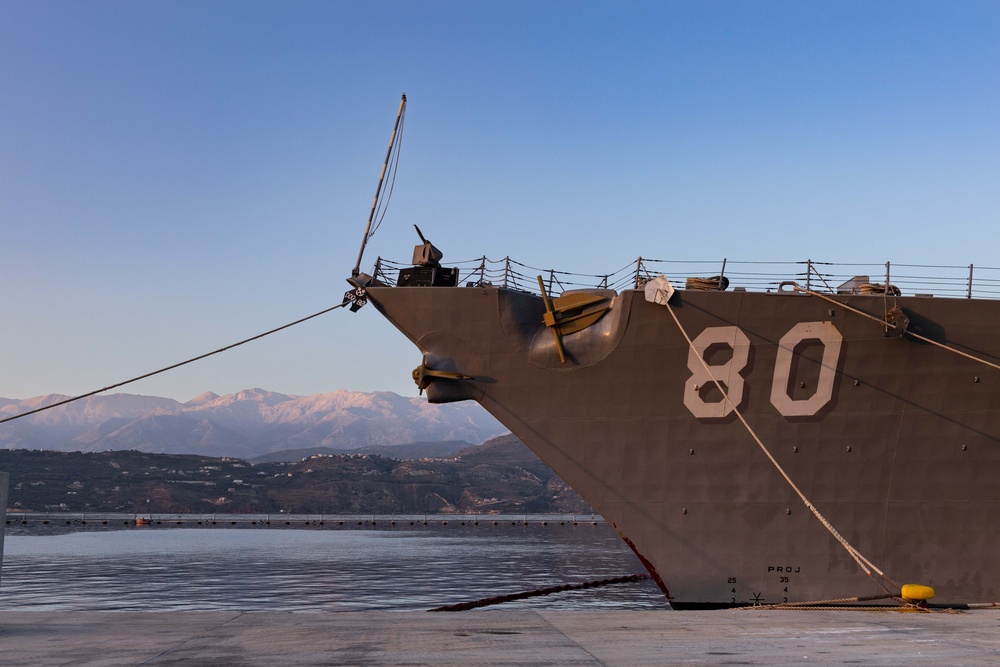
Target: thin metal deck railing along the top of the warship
(965,281)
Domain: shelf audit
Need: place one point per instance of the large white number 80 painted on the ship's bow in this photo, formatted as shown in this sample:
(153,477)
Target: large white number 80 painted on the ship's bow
(730,373)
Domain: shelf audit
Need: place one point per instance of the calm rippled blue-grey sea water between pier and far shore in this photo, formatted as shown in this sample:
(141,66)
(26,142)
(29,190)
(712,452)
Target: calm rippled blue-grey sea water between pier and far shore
(288,569)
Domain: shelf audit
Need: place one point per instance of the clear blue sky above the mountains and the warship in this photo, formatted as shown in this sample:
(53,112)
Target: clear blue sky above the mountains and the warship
(176,176)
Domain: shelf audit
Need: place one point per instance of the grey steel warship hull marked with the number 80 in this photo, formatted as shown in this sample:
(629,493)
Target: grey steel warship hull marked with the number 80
(896,442)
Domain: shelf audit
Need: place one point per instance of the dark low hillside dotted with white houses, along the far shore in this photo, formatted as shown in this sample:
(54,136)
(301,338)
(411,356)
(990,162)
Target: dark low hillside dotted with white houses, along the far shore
(500,476)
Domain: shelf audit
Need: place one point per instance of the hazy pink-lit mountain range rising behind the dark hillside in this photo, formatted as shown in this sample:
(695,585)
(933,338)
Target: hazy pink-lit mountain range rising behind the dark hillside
(247,424)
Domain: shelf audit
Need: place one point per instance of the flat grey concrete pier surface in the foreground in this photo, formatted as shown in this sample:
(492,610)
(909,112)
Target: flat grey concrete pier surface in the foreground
(500,638)
